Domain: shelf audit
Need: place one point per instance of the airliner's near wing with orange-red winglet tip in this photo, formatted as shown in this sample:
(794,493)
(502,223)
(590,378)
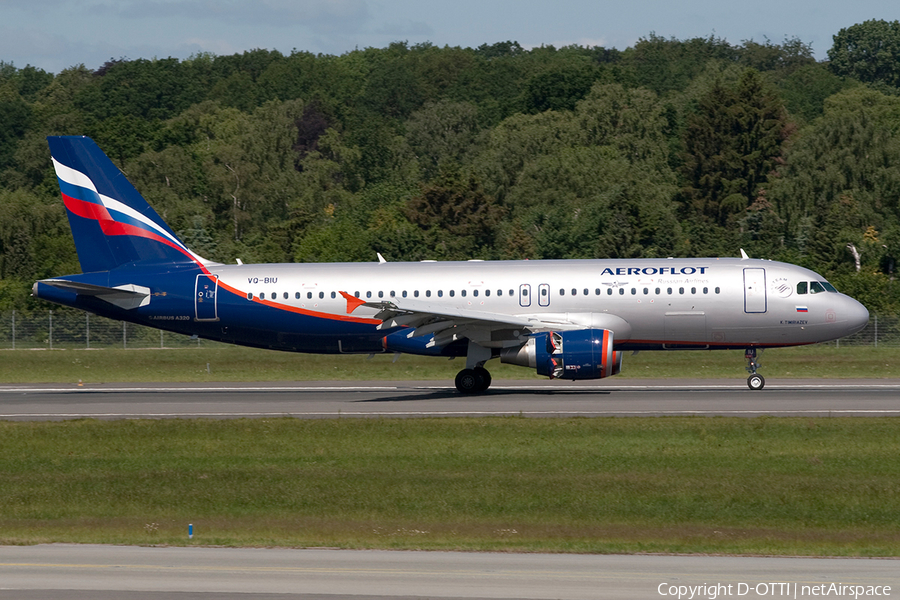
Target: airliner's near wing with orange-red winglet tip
(448,324)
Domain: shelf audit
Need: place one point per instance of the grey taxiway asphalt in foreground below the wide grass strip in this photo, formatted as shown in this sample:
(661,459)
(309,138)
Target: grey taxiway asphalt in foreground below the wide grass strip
(76,572)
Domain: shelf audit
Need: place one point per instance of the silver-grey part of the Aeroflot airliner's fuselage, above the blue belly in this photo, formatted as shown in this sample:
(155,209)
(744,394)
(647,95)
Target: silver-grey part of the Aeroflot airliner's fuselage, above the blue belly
(649,303)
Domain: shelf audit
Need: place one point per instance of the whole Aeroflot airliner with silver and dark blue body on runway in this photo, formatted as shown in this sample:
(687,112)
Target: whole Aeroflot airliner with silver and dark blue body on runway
(567,319)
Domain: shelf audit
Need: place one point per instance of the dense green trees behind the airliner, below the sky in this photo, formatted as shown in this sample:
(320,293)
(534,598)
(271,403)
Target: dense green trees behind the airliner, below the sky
(669,148)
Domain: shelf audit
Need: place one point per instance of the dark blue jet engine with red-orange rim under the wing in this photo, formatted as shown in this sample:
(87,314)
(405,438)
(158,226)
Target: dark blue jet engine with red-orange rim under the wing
(583,354)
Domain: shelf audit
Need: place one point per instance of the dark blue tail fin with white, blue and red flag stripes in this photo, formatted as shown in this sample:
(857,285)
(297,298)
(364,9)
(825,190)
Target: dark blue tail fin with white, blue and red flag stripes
(111,223)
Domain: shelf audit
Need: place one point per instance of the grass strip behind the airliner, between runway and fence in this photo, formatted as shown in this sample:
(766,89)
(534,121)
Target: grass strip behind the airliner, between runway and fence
(231,363)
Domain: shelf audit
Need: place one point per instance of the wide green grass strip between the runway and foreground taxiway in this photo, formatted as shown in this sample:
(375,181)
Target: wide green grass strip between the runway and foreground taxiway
(758,486)
